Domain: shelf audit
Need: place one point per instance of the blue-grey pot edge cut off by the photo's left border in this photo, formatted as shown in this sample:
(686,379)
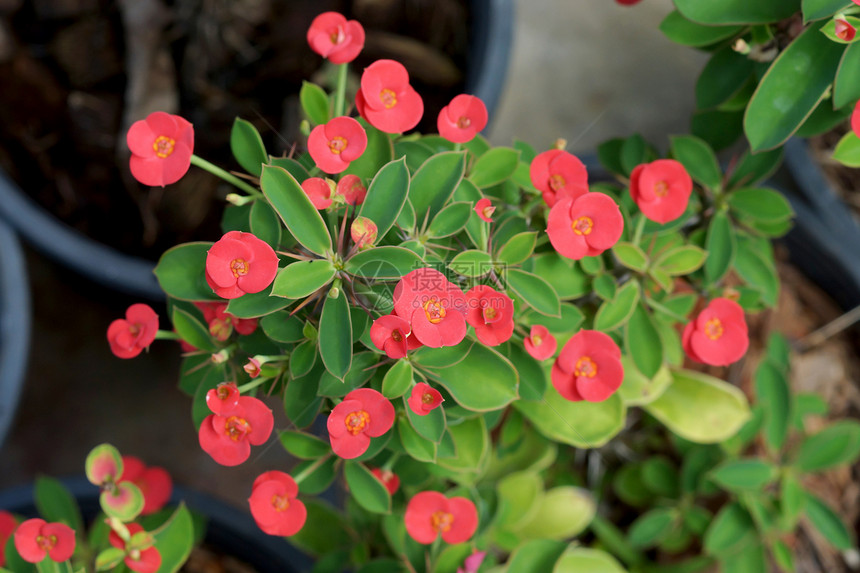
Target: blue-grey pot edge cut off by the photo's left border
(15,322)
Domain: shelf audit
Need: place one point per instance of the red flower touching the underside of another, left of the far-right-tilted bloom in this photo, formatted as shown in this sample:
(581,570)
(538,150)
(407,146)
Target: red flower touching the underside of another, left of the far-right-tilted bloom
(584,227)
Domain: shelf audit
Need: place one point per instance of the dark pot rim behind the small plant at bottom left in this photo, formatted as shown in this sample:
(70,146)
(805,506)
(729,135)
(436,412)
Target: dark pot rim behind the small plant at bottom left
(228,530)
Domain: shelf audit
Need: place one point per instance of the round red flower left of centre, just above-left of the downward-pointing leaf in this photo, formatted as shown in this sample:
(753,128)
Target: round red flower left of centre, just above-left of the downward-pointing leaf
(240,263)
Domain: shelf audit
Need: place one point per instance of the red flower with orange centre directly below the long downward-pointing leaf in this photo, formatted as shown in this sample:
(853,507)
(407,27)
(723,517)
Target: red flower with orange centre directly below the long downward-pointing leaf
(363,414)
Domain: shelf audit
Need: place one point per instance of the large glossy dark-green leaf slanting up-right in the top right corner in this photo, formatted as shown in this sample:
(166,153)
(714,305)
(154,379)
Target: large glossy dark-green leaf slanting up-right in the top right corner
(791,89)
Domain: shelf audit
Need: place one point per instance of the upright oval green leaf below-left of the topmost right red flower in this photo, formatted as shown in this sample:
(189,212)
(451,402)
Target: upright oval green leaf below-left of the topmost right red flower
(435,182)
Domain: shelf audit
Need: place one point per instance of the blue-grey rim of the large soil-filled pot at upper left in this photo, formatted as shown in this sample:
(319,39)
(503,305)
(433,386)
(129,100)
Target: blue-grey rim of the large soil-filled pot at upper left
(489,50)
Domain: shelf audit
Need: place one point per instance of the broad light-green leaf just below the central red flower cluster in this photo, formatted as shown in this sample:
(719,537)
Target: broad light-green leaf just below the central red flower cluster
(482,381)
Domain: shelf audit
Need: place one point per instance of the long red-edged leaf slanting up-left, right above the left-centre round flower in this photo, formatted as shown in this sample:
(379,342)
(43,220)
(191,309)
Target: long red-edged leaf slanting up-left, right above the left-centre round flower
(295,209)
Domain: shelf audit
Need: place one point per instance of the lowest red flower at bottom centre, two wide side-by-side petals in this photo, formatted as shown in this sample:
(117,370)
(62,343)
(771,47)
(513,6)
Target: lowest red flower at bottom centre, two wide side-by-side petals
(430,513)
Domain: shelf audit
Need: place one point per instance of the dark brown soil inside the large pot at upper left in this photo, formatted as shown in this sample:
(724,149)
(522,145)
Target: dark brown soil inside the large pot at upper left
(74,74)
